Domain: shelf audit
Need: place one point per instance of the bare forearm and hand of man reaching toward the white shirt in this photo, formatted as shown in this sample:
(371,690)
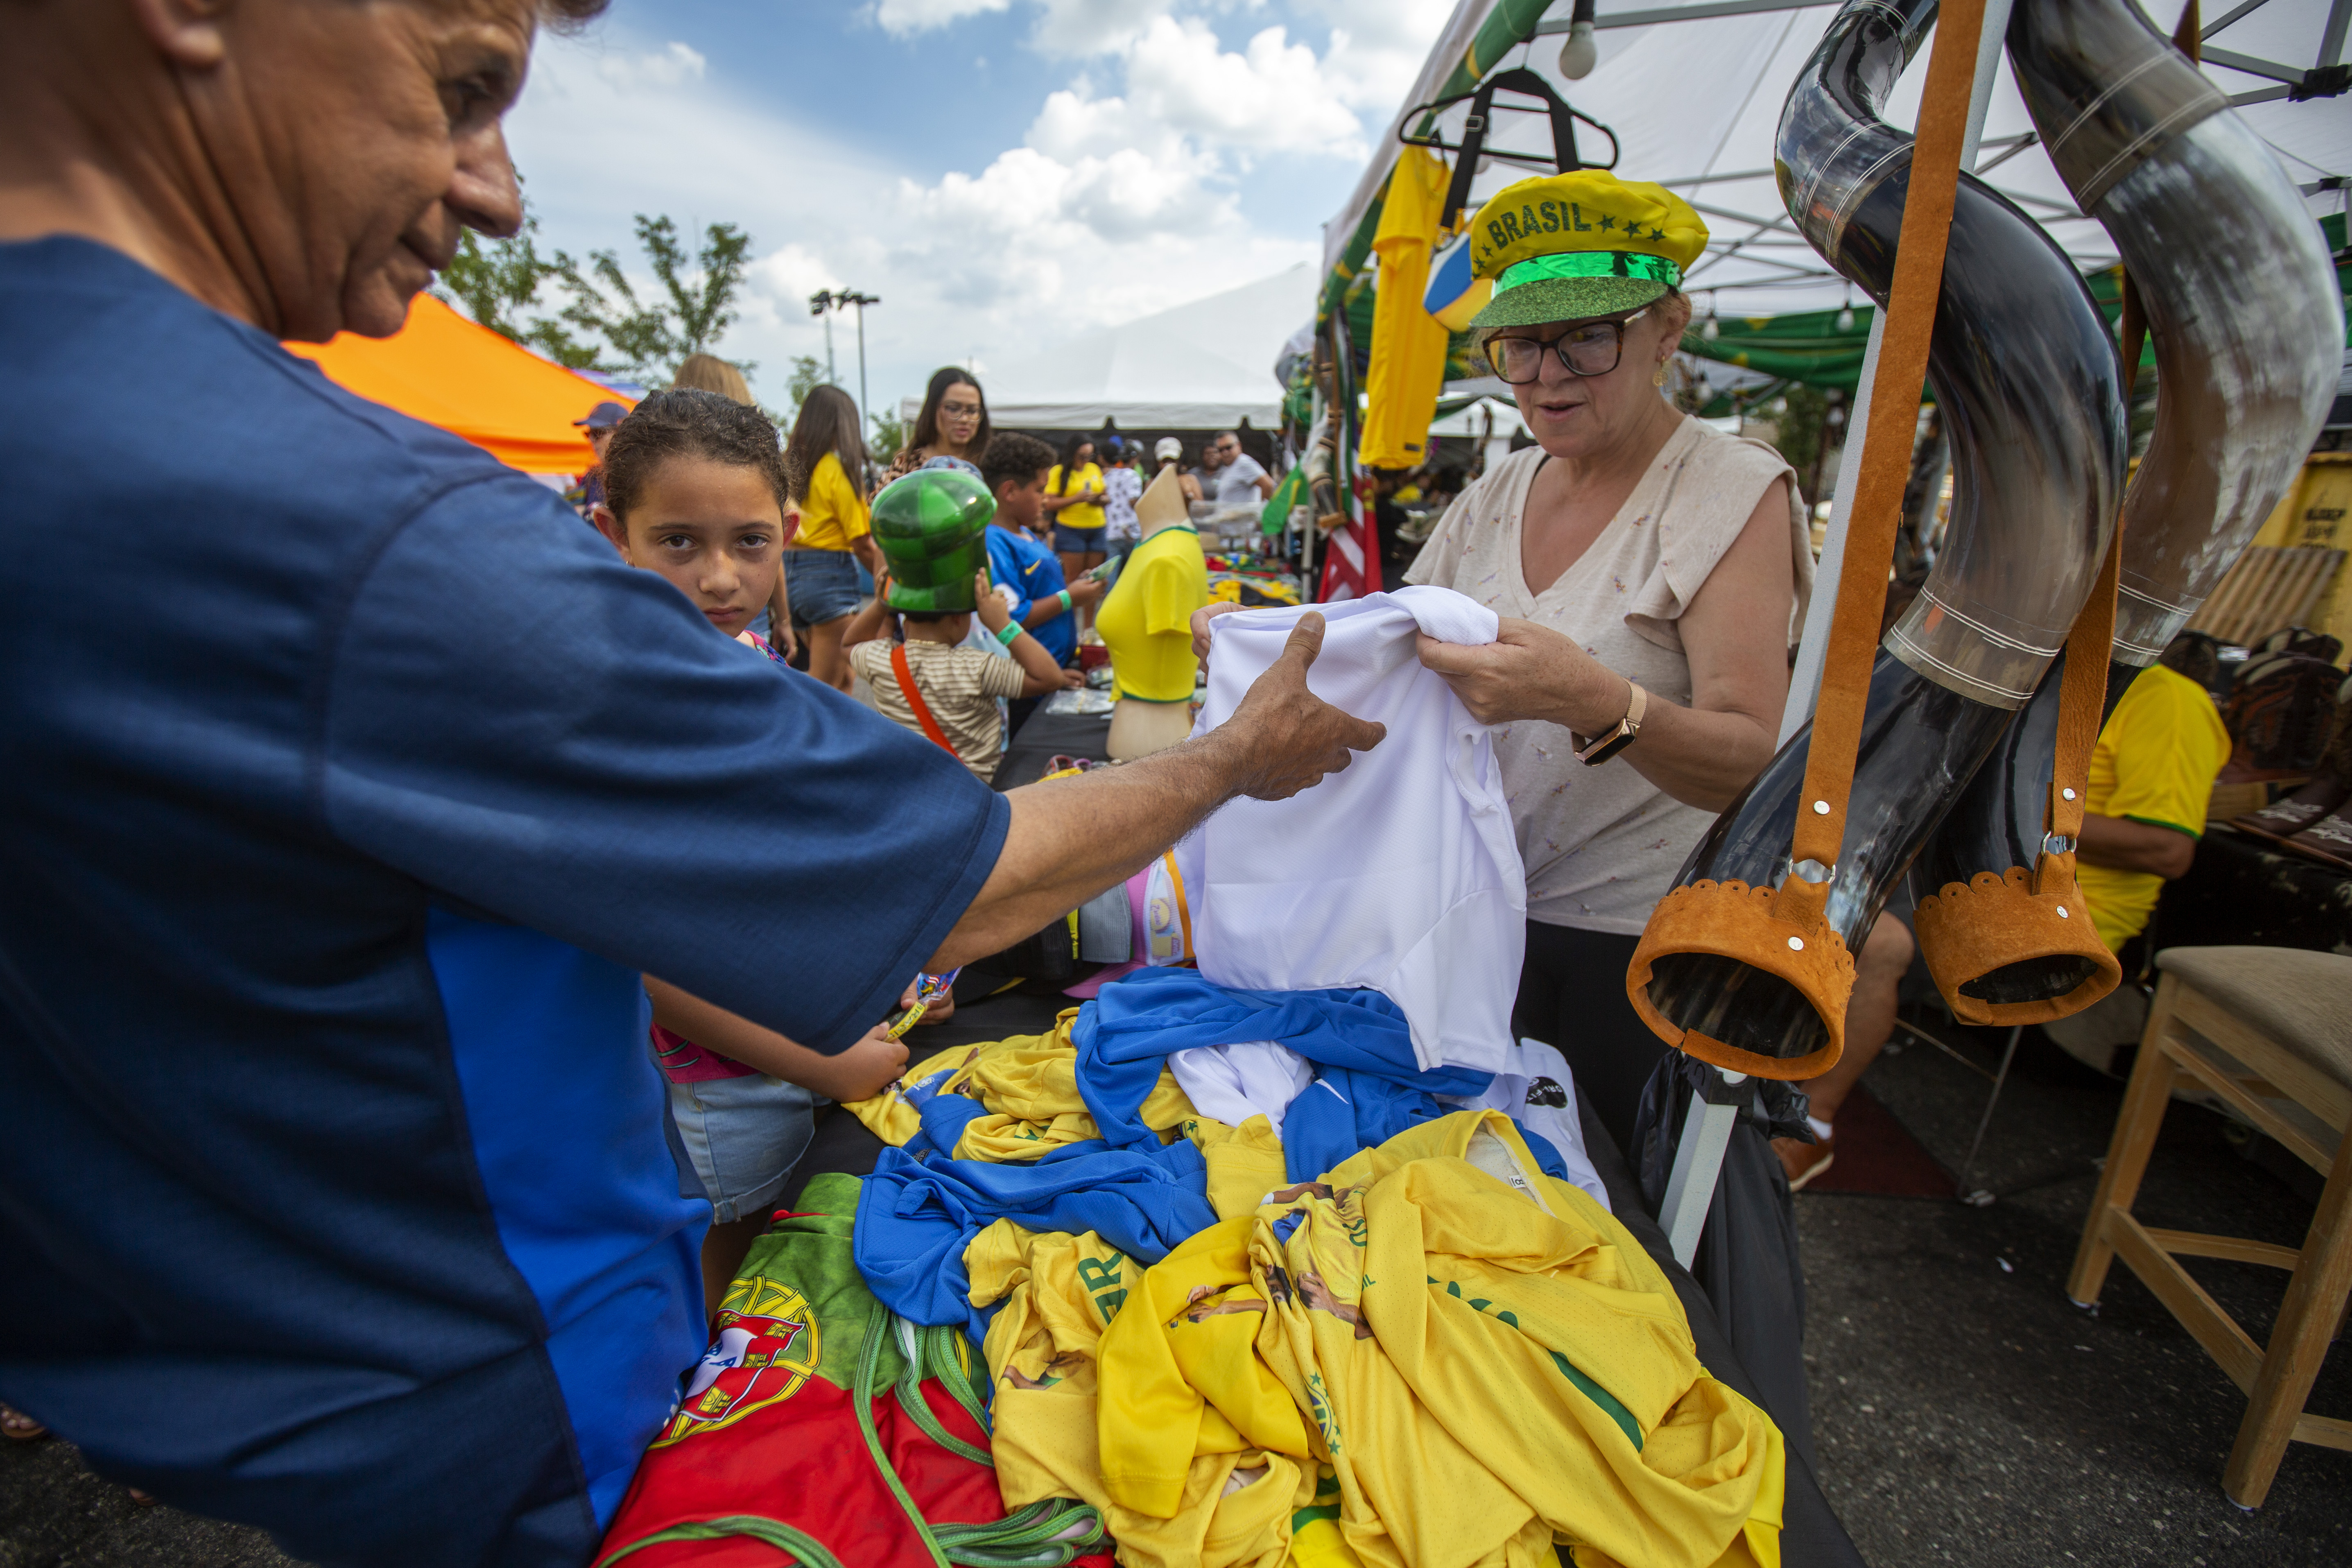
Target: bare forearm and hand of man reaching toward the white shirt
(1074,838)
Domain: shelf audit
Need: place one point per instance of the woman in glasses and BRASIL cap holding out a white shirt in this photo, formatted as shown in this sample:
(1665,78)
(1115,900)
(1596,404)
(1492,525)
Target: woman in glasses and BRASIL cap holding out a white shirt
(1650,575)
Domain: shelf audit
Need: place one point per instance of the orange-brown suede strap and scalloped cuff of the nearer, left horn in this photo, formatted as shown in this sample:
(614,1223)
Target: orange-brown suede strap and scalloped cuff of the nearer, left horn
(1784,932)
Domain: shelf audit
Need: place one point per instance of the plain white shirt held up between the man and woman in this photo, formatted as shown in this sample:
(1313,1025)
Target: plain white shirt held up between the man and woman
(1401,873)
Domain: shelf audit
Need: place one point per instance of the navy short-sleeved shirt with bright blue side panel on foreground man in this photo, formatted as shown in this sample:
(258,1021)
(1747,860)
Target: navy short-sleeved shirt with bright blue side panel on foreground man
(349,789)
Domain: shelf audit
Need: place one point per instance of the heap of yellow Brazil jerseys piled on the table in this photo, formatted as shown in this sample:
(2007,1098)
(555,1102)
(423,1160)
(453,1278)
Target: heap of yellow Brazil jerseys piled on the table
(1434,1358)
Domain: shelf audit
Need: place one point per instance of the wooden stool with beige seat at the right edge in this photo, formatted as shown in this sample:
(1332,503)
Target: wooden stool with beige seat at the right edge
(2271,1033)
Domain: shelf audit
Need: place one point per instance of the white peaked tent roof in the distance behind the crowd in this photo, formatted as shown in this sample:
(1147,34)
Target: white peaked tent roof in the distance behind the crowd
(1194,368)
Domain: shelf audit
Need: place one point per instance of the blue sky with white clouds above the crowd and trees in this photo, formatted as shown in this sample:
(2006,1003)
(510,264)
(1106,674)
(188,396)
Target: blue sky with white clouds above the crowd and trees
(1001,173)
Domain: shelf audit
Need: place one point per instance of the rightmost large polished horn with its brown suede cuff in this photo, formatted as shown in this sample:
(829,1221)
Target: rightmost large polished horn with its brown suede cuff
(2245,314)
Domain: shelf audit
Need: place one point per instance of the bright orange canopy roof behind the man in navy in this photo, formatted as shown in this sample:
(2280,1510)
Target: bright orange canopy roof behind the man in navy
(472,382)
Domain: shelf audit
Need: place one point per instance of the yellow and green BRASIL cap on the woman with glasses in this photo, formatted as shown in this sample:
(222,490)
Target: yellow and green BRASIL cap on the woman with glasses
(1570,246)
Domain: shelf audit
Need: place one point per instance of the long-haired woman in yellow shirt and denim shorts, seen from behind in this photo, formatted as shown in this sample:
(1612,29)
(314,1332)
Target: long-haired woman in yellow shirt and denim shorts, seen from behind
(836,535)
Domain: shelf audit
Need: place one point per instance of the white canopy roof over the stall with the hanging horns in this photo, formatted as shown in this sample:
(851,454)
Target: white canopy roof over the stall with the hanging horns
(1695,91)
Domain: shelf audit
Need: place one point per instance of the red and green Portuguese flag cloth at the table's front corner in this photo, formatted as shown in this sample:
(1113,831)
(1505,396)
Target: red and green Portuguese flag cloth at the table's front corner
(824,1430)
